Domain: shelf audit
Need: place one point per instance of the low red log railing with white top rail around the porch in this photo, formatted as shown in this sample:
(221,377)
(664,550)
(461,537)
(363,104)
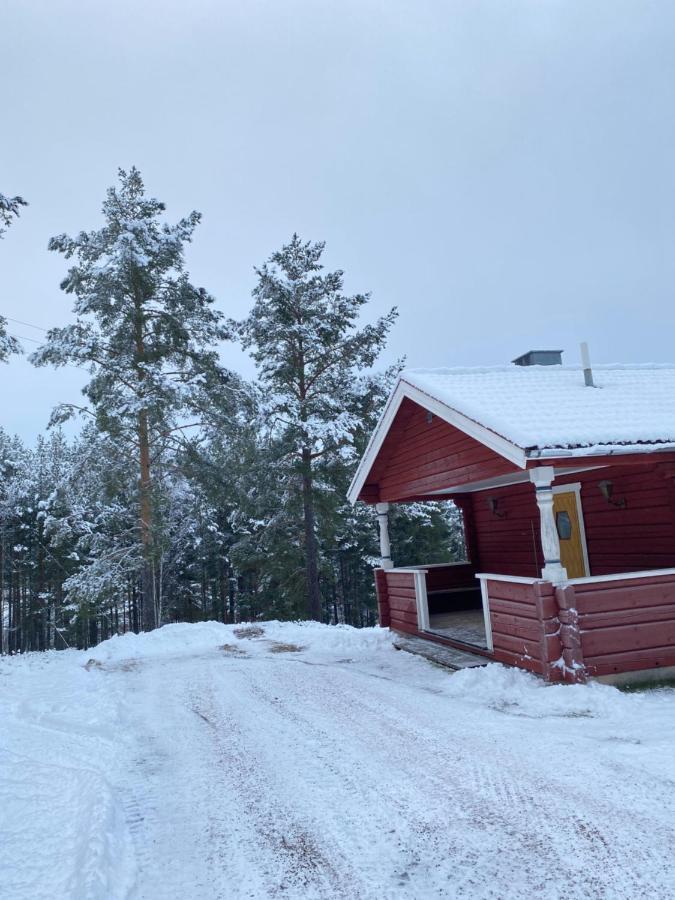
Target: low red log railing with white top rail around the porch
(596,626)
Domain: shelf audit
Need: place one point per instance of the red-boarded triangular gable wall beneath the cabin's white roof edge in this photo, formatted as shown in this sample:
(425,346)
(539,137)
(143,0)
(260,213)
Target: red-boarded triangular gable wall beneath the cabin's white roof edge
(418,456)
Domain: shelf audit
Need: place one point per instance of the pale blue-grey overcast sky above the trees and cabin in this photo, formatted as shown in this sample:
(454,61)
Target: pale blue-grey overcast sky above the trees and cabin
(503,172)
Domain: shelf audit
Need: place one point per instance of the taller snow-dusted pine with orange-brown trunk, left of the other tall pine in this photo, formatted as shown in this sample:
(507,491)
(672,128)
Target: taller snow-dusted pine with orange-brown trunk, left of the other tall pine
(147,336)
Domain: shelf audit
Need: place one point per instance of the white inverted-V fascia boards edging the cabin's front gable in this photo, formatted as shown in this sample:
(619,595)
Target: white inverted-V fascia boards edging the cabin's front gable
(404,389)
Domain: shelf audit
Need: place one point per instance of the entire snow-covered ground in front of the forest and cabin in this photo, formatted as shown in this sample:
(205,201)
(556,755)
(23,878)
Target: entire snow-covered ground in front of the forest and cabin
(191,764)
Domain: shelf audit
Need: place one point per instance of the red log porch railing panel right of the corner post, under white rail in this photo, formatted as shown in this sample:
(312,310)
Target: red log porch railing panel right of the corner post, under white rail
(627,625)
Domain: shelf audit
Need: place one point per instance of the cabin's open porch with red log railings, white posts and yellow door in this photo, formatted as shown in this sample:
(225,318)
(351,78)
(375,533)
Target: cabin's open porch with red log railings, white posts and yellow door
(563,625)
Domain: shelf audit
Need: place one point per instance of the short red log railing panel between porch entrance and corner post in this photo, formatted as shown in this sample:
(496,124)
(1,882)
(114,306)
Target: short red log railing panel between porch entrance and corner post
(525,626)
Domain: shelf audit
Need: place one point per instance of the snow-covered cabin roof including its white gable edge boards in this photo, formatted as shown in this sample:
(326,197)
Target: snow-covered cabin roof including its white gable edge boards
(538,411)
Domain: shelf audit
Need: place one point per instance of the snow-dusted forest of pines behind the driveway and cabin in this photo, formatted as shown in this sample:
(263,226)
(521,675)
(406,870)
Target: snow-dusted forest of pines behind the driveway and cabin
(189,492)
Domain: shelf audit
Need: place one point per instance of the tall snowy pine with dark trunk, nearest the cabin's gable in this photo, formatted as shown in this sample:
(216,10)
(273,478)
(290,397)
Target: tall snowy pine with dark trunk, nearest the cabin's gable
(311,357)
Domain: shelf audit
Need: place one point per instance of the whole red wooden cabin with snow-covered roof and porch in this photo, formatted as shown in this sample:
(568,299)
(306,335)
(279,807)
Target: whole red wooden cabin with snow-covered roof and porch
(568,496)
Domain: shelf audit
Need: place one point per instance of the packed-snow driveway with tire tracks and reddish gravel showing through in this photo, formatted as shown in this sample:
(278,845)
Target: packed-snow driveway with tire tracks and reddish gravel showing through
(342,785)
